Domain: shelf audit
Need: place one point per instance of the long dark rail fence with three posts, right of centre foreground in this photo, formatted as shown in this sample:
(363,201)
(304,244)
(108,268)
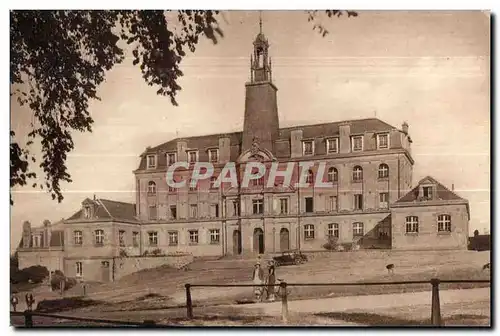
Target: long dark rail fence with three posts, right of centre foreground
(436,319)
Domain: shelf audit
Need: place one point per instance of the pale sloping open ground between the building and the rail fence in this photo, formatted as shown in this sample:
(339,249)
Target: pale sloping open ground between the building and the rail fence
(164,287)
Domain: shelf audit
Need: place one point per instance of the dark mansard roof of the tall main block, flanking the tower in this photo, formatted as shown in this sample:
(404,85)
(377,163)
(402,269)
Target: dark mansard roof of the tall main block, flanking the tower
(282,145)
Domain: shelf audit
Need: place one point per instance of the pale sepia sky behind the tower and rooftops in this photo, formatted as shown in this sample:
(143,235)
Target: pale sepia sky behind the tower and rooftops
(430,69)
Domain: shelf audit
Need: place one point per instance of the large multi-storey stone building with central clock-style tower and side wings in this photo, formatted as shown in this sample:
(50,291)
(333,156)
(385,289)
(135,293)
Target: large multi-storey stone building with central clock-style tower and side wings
(371,202)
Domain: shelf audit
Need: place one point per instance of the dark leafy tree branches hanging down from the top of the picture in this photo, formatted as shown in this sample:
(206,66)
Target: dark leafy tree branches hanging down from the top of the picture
(59,59)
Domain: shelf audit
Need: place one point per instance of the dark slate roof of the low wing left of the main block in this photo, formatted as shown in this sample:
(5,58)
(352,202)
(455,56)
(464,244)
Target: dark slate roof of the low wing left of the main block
(108,209)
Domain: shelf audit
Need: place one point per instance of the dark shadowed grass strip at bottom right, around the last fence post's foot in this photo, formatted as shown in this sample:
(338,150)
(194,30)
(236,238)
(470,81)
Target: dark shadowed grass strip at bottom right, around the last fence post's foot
(386,320)
